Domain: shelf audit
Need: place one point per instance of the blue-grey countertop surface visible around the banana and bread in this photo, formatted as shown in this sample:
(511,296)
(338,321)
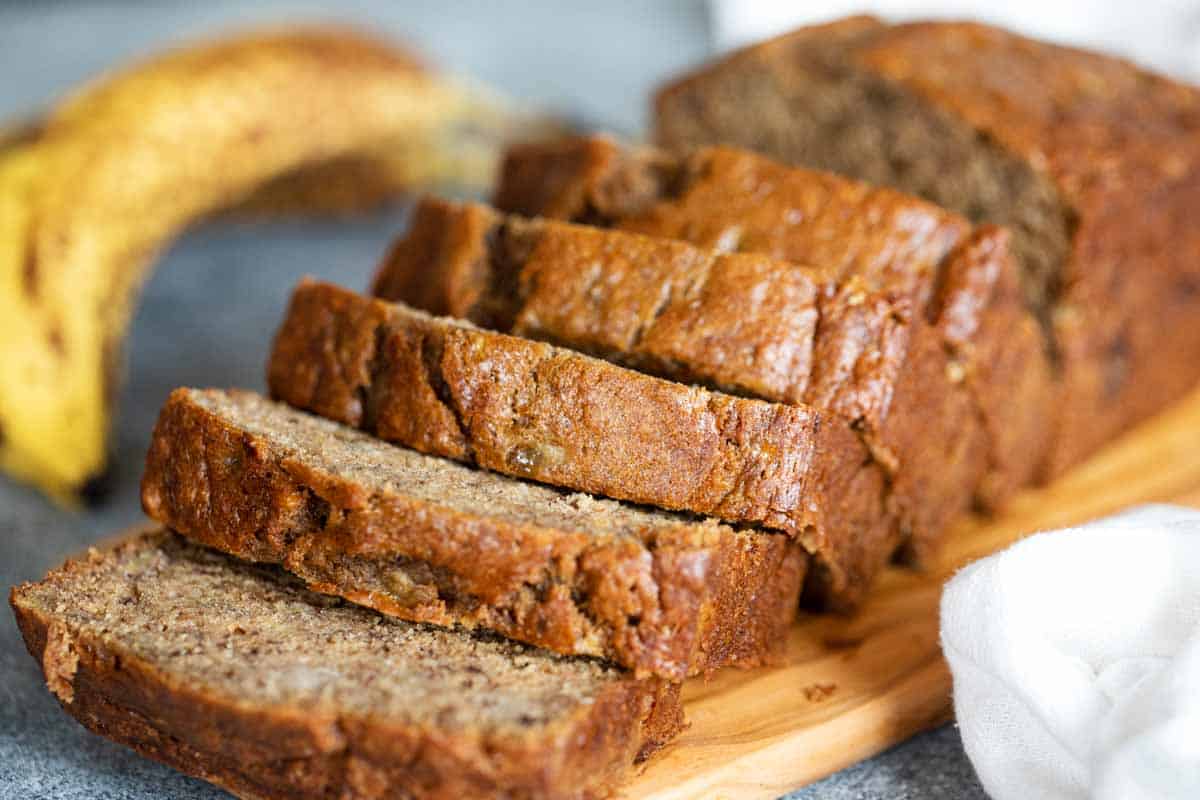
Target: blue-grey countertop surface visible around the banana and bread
(211,309)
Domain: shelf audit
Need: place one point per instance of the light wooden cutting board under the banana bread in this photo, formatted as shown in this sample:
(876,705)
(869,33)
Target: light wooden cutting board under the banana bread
(854,688)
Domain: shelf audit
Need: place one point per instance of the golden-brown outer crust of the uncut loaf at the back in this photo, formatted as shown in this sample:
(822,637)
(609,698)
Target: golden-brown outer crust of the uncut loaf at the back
(1118,146)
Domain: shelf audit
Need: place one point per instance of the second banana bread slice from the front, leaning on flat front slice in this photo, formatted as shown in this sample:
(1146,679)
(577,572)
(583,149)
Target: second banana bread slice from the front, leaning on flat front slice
(430,540)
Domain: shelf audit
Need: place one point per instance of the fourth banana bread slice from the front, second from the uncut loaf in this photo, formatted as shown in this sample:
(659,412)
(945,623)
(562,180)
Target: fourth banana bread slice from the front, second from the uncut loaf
(860,348)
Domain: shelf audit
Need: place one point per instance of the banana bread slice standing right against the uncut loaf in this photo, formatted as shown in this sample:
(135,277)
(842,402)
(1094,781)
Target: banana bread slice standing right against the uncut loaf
(967,282)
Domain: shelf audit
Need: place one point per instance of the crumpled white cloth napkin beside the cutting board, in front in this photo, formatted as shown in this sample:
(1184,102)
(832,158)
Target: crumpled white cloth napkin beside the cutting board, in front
(1077,661)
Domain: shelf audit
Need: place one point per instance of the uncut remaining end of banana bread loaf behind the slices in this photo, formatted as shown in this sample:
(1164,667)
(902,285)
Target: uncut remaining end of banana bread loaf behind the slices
(1094,164)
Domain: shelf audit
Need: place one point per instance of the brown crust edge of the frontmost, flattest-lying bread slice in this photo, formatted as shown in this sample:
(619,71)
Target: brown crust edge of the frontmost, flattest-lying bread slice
(260,753)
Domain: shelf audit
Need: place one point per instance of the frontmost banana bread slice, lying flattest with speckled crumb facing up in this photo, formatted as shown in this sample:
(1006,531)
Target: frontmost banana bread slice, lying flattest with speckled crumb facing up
(241,677)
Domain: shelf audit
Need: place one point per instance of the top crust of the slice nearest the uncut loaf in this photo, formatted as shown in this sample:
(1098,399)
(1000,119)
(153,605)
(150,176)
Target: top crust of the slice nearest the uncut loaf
(734,201)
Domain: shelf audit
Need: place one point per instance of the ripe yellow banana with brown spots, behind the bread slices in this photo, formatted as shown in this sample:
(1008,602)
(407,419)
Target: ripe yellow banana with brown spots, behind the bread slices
(265,123)
